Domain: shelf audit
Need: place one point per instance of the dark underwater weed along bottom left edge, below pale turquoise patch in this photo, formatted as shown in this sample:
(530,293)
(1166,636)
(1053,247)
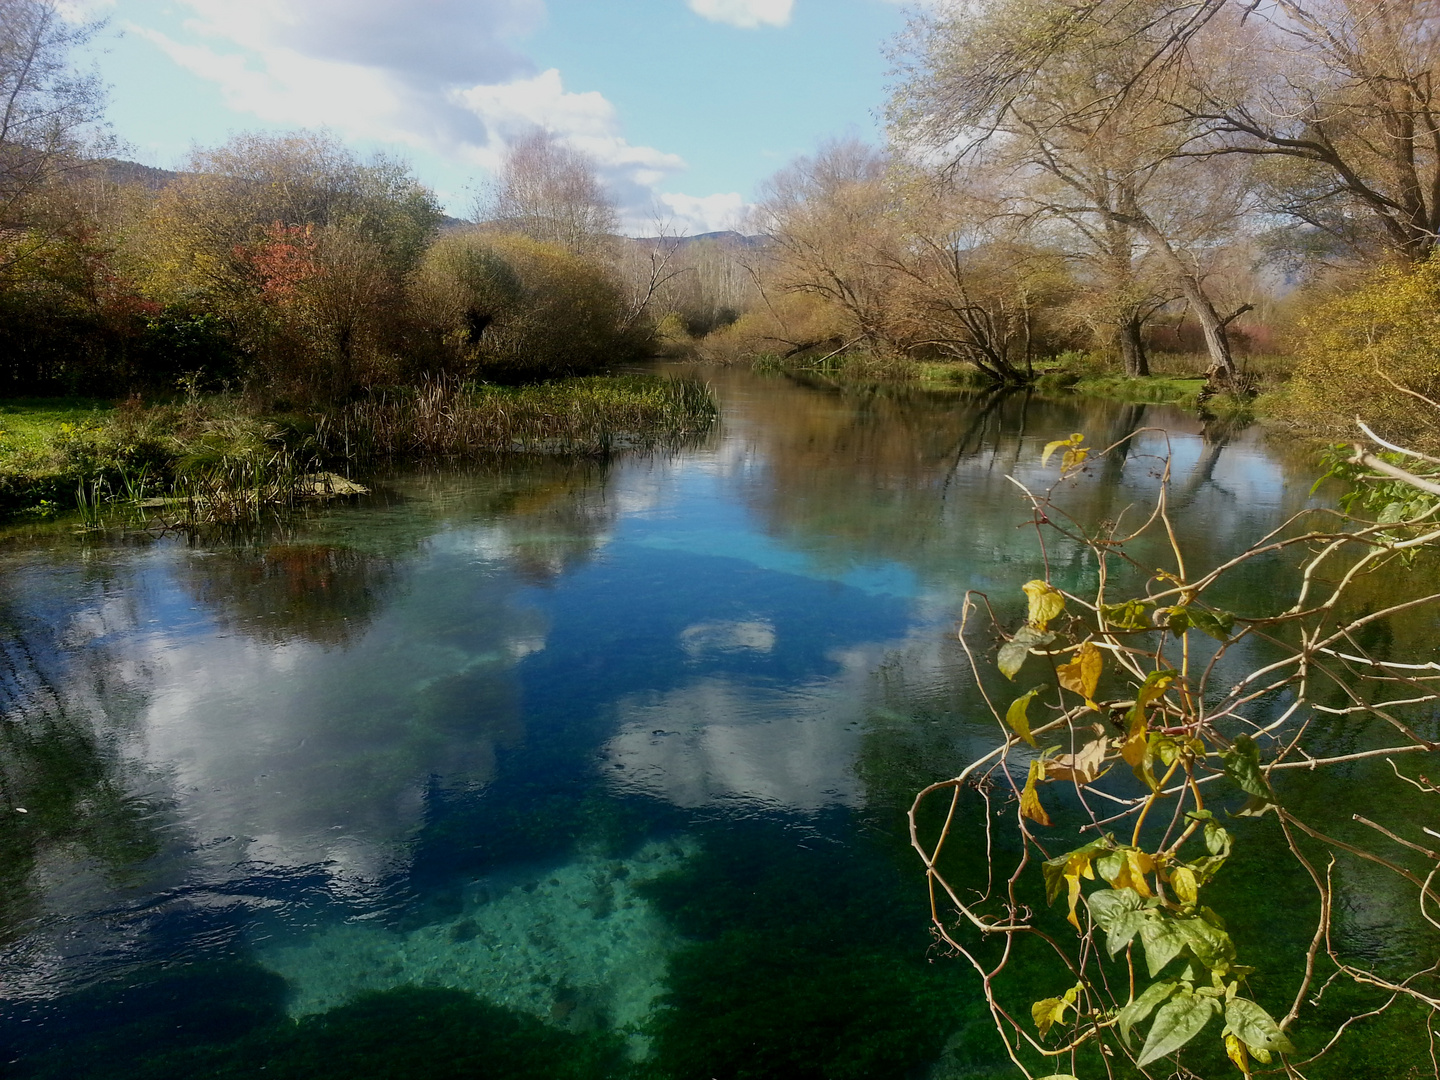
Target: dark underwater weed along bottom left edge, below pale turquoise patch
(228,1022)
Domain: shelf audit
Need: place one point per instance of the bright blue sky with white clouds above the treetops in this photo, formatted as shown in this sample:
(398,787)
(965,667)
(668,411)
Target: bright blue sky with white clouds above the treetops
(686,106)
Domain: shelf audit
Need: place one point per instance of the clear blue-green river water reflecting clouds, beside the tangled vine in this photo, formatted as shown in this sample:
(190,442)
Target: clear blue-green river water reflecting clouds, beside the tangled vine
(539,768)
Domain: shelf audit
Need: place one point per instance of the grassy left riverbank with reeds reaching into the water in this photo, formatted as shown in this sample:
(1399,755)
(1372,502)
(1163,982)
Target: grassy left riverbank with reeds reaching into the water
(64,454)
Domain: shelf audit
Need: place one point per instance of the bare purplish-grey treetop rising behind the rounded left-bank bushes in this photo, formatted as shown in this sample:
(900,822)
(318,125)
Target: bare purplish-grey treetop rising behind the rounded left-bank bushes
(551,192)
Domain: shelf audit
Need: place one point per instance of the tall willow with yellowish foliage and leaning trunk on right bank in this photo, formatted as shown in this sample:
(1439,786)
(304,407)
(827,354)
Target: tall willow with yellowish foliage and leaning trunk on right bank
(1079,107)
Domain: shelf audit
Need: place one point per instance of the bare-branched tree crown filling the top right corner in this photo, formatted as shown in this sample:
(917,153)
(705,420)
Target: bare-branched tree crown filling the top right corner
(1341,97)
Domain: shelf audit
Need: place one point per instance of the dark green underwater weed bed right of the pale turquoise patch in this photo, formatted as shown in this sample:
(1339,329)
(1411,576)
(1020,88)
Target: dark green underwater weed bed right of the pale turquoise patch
(801,963)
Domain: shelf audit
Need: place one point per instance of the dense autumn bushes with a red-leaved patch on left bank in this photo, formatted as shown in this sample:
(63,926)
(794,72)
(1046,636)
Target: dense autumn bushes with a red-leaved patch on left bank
(297,273)
